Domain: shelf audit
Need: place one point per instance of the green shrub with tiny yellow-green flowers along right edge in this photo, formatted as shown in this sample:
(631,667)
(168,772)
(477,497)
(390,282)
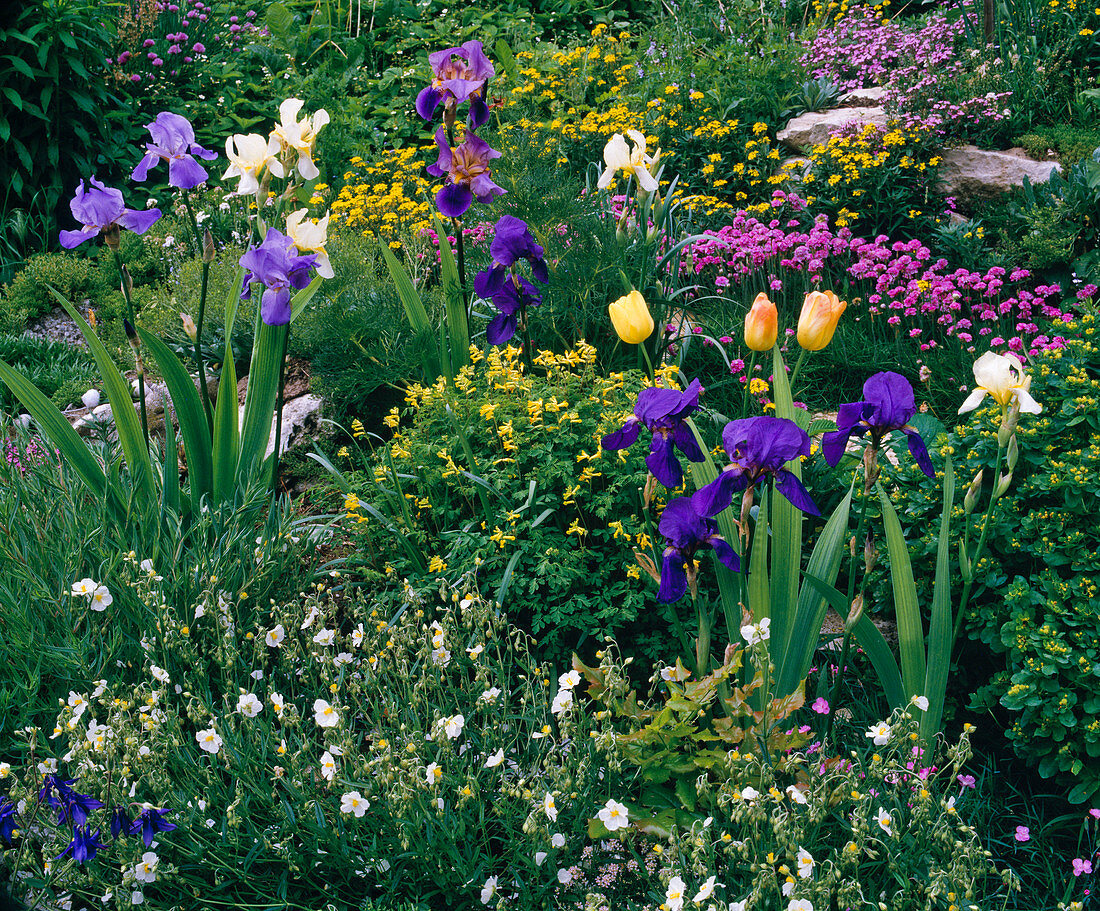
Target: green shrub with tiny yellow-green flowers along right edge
(1035,601)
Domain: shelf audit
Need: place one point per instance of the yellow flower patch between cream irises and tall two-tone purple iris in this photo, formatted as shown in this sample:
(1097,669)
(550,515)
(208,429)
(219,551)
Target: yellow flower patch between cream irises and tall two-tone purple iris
(388,199)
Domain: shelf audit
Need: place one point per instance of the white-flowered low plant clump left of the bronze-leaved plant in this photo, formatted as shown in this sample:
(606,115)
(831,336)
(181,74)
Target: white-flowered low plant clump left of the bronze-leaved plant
(269,813)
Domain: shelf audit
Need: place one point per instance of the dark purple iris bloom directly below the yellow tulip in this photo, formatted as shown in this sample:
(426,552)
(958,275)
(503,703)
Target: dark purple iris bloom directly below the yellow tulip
(663,413)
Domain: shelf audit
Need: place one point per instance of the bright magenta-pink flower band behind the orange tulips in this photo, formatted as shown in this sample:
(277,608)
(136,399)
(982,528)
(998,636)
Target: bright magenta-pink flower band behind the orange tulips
(899,284)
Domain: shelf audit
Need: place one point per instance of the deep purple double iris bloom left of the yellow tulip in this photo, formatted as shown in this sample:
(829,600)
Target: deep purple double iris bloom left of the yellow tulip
(511,293)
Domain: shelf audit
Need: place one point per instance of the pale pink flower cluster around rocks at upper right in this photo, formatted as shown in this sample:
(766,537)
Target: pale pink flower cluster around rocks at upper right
(923,70)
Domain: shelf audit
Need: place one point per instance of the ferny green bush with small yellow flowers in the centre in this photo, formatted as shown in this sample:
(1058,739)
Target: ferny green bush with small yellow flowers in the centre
(504,475)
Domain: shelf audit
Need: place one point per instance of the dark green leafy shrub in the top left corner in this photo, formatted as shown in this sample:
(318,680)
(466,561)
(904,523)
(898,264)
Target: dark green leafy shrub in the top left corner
(59,120)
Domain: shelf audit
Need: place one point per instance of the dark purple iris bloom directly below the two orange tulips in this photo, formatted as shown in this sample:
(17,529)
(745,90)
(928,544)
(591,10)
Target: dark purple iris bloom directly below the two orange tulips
(758,447)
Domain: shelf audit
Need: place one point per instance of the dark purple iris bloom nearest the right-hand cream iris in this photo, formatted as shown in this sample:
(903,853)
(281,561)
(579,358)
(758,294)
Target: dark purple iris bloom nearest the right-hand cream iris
(888,405)
